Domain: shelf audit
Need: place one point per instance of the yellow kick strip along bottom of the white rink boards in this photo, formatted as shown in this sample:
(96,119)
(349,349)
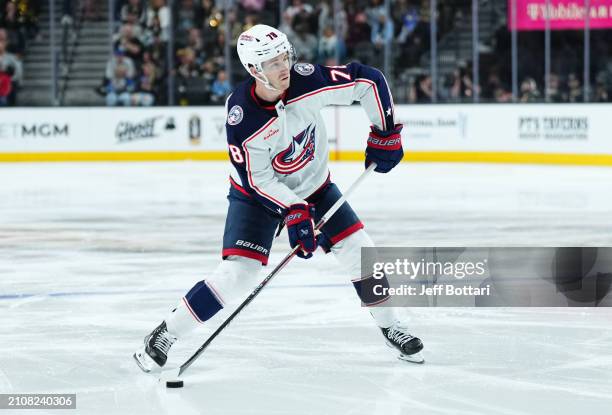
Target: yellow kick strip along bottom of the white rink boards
(410,156)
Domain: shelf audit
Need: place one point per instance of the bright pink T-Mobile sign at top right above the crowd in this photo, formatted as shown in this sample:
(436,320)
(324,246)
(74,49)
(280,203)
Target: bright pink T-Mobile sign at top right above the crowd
(562,14)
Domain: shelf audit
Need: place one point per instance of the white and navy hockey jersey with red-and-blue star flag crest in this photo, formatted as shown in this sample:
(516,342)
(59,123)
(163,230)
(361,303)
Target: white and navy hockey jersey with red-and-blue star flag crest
(280,151)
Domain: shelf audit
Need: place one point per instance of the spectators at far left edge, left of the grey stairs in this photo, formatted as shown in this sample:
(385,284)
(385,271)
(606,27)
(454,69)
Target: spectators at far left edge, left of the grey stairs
(18,26)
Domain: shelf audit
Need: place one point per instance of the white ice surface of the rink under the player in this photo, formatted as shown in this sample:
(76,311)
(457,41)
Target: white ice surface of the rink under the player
(92,256)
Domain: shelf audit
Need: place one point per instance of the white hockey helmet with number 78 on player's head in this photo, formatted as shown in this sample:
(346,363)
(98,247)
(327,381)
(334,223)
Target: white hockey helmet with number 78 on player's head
(259,44)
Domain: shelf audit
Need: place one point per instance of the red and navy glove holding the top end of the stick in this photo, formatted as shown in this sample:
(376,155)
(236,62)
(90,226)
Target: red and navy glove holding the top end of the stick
(384,148)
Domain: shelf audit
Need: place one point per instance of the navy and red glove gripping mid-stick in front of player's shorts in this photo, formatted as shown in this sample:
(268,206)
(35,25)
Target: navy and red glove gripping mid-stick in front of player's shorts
(300,227)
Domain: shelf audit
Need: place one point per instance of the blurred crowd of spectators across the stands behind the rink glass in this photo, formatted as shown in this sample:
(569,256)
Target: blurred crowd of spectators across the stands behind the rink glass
(138,72)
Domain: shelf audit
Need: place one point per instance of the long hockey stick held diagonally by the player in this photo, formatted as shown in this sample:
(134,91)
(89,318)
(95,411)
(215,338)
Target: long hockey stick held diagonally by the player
(276,270)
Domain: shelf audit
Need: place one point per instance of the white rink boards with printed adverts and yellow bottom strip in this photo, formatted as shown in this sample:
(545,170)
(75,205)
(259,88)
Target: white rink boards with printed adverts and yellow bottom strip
(504,133)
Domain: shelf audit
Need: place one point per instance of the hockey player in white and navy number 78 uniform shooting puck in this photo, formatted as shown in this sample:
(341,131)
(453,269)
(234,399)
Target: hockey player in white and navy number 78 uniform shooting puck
(279,152)
